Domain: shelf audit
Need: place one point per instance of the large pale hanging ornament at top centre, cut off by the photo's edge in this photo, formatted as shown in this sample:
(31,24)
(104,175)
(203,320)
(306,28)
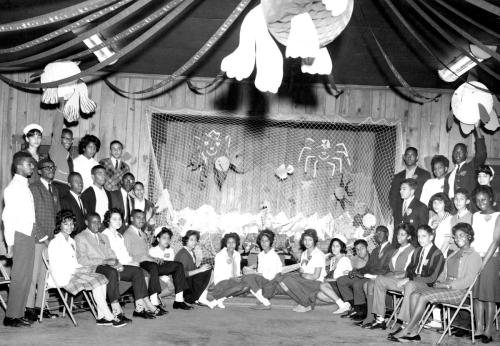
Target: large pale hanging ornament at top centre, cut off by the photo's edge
(305,27)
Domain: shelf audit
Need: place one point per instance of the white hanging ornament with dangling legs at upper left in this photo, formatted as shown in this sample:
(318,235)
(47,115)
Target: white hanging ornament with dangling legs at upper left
(74,94)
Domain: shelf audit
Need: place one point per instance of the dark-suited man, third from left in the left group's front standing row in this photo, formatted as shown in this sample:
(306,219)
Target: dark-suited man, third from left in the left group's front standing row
(73,202)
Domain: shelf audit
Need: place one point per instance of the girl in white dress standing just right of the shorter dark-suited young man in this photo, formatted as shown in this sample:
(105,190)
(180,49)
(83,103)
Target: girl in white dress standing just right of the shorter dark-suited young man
(441,222)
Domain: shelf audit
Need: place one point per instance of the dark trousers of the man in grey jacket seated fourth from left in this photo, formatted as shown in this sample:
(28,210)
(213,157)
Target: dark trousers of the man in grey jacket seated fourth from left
(155,270)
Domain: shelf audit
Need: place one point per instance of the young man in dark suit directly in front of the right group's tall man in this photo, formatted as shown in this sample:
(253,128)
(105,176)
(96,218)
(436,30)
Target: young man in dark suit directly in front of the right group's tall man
(412,210)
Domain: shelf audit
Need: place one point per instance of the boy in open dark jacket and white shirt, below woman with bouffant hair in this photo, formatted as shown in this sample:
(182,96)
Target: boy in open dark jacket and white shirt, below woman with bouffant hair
(95,198)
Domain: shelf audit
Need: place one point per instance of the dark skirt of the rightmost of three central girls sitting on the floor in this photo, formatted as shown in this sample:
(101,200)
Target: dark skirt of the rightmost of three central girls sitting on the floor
(302,291)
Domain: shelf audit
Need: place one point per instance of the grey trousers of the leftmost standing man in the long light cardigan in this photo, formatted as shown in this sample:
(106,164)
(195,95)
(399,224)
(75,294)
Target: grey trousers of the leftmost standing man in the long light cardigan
(20,275)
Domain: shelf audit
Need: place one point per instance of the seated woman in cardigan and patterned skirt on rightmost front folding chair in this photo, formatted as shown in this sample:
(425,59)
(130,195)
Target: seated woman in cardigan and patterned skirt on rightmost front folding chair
(459,272)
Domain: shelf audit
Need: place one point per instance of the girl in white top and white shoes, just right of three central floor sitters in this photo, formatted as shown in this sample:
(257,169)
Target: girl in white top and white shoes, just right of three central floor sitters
(340,265)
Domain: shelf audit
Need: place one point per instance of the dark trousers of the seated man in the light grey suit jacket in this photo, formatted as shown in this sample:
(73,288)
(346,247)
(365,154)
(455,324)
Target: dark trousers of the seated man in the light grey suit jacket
(130,274)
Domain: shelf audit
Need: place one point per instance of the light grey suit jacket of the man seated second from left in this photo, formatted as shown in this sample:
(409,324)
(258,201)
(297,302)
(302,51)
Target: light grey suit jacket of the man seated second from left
(89,252)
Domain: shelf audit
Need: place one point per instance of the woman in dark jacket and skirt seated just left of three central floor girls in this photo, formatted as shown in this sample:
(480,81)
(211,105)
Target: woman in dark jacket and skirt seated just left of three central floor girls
(197,277)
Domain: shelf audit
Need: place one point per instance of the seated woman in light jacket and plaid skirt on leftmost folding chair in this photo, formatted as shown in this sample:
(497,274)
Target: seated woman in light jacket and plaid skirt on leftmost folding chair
(73,277)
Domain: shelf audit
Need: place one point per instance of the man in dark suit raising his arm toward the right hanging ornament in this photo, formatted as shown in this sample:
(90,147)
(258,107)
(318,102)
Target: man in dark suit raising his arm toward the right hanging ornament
(463,174)
